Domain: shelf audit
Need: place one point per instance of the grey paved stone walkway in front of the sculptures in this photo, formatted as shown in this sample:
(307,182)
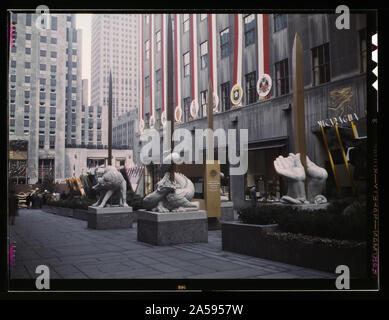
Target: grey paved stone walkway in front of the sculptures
(72,251)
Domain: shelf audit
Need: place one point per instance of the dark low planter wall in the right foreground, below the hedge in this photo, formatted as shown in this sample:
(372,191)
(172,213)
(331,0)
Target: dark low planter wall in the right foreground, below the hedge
(311,252)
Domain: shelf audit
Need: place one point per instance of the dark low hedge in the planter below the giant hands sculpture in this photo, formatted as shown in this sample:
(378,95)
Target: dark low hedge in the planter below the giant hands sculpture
(342,219)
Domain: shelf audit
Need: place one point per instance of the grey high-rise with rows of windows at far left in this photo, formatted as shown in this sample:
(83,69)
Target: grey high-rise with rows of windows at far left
(44,96)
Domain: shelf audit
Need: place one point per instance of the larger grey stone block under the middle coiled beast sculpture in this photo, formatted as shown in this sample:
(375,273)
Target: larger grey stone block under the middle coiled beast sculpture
(173,227)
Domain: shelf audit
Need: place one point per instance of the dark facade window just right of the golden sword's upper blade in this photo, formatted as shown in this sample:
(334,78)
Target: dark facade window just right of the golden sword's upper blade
(321,64)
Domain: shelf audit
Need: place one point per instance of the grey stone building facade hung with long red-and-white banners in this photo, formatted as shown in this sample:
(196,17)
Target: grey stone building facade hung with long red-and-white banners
(239,49)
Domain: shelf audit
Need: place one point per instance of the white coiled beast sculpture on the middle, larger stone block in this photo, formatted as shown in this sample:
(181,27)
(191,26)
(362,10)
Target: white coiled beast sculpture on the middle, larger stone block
(171,195)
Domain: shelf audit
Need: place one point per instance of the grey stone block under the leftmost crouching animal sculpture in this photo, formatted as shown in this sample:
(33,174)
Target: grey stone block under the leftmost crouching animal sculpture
(109,218)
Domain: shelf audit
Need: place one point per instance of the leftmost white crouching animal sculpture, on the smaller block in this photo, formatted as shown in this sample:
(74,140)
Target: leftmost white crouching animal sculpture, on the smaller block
(111,181)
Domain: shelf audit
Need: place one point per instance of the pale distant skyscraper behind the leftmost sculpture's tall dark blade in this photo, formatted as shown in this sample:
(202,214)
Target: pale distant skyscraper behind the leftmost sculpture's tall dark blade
(115,49)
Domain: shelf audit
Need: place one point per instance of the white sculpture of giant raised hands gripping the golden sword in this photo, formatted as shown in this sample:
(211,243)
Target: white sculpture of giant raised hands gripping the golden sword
(292,169)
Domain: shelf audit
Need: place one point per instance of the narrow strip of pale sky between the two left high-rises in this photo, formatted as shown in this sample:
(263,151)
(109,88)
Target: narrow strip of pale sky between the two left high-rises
(84,22)
